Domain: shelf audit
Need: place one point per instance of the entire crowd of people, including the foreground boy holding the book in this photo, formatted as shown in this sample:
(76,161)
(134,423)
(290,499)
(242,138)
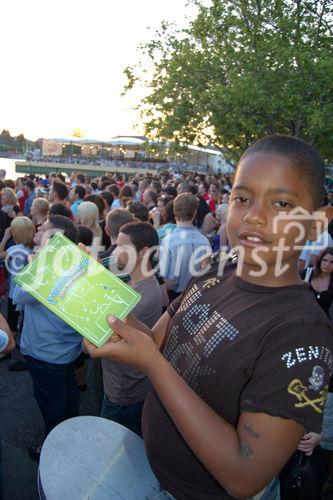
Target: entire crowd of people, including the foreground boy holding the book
(225,363)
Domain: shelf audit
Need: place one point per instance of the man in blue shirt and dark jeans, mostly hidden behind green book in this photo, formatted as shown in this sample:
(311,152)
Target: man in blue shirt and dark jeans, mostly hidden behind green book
(50,347)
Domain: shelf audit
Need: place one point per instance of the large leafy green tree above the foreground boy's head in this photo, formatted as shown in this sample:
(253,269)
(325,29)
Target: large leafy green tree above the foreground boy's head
(243,69)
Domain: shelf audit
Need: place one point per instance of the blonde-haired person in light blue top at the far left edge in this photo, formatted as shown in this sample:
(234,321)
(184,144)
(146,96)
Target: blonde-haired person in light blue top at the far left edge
(22,231)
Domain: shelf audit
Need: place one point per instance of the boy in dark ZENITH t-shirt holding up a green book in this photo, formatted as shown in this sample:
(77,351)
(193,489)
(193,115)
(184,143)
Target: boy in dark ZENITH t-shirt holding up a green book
(246,356)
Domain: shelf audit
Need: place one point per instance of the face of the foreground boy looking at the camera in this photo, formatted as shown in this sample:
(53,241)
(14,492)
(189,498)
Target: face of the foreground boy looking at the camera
(266,188)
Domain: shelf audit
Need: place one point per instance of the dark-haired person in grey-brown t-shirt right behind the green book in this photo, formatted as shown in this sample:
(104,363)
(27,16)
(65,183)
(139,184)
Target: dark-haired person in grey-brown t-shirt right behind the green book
(125,388)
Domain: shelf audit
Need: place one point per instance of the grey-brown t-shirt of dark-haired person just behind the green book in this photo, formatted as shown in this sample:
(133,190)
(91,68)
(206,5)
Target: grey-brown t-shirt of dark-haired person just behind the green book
(124,385)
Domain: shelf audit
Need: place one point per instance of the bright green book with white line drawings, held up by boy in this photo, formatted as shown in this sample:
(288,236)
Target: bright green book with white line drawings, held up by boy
(78,289)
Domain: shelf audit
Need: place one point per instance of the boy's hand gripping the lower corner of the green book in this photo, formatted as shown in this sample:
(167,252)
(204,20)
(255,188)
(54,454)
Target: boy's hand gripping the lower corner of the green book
(127,345)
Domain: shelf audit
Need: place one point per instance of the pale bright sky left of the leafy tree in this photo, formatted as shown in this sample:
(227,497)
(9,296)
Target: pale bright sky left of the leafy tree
(62,63)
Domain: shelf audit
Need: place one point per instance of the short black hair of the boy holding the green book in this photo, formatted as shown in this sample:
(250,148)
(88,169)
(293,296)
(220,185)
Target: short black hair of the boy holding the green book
(303,157)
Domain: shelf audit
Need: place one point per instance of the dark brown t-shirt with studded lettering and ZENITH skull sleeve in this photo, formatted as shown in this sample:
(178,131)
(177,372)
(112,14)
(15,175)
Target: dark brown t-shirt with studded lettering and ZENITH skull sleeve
(240,347)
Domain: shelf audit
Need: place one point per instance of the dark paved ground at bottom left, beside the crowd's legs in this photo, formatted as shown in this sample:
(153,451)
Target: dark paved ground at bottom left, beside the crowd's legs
(20,426)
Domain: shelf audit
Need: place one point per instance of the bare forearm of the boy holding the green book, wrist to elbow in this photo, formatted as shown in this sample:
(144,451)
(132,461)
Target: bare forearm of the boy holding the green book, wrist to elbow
(215,442)
